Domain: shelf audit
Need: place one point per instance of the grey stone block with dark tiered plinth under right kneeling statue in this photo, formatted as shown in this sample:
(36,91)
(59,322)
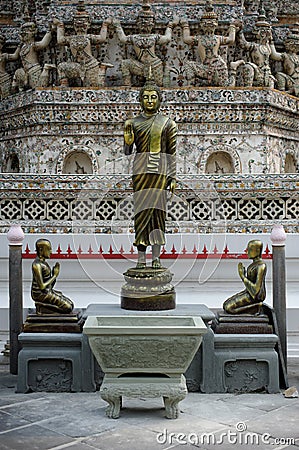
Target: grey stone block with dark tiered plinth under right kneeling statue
(244,357)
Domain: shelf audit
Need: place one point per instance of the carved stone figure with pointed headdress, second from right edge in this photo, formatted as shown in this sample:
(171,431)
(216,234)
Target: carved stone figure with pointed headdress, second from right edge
(257,71)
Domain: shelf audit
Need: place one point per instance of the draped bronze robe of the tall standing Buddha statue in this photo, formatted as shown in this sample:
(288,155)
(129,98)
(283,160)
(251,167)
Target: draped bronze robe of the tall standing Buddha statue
(153,169)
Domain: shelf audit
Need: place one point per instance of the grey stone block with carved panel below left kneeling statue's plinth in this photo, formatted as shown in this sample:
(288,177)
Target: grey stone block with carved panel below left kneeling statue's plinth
(55,362)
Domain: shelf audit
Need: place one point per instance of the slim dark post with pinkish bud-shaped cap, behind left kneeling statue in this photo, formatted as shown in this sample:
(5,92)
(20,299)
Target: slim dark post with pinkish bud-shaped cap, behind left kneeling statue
(15,237)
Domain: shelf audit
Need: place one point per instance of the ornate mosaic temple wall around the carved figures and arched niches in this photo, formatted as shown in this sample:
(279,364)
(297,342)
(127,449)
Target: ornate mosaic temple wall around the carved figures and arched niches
(77,129)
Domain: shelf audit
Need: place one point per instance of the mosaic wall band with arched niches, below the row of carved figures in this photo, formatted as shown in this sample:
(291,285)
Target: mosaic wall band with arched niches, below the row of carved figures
(220,131)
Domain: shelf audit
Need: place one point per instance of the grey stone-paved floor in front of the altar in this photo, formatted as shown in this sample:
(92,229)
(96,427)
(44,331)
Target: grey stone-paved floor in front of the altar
(207,421)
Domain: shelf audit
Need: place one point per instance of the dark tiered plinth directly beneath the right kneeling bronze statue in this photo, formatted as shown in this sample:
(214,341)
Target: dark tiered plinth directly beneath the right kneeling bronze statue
(241,324)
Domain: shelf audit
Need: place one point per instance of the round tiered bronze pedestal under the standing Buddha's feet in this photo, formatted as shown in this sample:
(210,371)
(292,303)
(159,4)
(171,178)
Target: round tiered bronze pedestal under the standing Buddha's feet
(148,289)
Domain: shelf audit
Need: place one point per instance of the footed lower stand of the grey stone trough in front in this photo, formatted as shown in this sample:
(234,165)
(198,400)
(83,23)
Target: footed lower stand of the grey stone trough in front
(173,390)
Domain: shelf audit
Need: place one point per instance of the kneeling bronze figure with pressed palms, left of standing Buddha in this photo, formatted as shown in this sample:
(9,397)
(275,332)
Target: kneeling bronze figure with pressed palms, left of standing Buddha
(47,300)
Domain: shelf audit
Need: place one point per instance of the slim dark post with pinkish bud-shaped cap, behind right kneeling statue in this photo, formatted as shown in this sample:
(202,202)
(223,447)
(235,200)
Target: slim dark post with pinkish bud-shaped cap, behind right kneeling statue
(278,238)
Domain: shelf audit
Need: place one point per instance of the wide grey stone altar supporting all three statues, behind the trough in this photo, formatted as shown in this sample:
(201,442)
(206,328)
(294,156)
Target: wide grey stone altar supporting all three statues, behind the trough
(216,367)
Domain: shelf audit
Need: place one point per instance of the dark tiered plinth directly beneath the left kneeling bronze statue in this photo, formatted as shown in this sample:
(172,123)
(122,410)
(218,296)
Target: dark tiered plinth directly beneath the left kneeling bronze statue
(54,323)
